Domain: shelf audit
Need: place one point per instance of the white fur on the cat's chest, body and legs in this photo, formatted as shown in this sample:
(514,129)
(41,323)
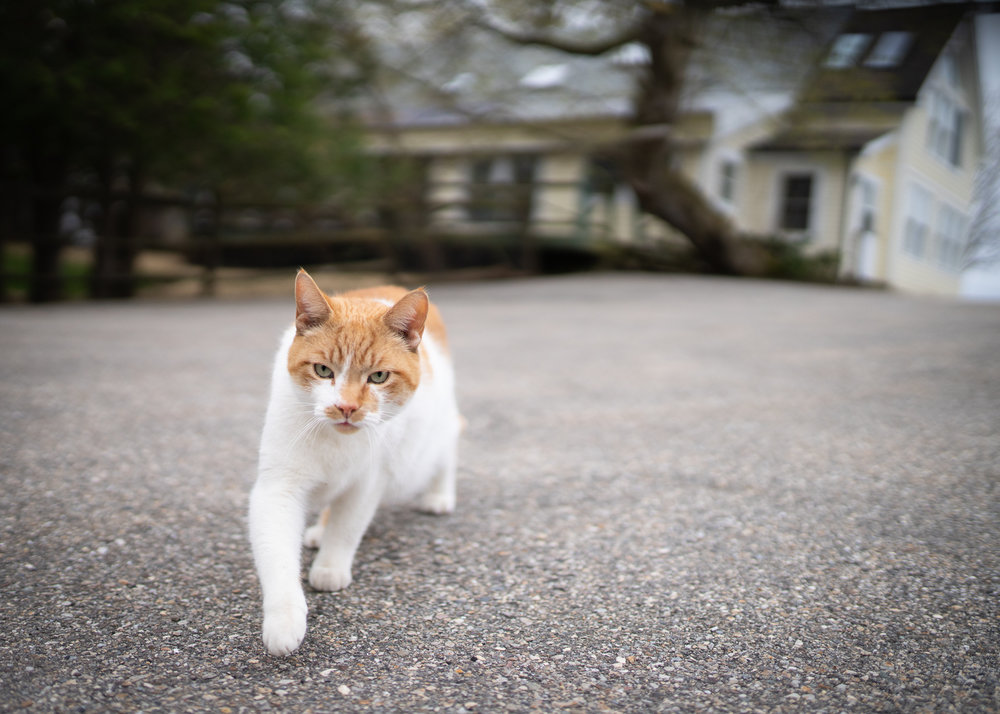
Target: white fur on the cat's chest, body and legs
(305,463)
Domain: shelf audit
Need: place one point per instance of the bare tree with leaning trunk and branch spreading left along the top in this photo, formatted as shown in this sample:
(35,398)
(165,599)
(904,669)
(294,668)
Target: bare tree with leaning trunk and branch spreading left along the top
(670,33)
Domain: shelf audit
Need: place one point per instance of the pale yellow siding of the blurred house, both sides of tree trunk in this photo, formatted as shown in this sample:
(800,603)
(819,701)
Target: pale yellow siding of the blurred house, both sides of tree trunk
(568,205)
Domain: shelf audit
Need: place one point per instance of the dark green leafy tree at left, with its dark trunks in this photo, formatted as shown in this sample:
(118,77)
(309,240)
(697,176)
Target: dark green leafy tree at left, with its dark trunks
(188,92)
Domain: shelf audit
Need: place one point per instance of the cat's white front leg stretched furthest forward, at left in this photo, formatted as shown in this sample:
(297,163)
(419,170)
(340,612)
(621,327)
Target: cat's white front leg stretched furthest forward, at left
(277,519)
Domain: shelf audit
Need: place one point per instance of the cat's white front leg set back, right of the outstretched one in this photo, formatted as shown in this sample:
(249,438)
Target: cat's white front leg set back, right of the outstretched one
(347,519)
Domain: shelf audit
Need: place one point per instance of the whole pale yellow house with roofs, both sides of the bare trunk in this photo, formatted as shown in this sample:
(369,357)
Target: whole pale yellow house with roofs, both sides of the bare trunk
(870,154)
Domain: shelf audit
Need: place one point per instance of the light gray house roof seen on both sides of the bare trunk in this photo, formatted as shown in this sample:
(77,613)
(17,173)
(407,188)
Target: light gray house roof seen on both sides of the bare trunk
(485,78)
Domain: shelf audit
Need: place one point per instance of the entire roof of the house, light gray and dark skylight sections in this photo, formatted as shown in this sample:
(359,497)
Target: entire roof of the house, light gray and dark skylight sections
(753,65)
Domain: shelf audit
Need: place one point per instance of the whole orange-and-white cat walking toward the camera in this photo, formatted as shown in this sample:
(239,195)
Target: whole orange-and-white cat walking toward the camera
(362,406)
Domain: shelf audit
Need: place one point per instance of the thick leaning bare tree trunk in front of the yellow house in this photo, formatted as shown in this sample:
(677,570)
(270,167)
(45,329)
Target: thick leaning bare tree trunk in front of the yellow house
(651,153)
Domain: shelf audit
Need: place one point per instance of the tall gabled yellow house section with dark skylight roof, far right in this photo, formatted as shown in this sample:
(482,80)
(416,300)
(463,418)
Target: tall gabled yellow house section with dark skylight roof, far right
(878,158)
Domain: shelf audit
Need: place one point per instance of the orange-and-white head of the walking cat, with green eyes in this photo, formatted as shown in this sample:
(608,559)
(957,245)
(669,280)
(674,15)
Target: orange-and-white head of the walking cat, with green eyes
(356,358)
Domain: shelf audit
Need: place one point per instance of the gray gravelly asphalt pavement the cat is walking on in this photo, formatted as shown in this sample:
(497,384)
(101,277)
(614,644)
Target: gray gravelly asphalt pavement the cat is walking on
(675,494)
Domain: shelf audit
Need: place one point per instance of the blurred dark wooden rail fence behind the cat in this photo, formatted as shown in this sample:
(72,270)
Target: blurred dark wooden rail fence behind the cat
(200,240)
